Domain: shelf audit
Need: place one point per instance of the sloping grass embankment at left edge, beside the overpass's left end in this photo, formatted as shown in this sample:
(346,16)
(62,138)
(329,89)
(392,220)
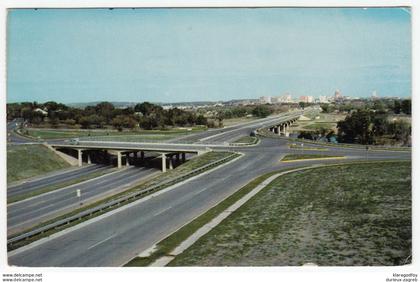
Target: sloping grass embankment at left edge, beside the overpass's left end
(24,161)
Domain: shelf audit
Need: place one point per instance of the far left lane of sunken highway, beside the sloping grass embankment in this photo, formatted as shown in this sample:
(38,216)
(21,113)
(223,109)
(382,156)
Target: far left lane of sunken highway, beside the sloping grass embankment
(53,178)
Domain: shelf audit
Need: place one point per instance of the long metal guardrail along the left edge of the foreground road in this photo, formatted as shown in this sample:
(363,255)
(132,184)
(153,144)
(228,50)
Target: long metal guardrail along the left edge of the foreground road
(115,203)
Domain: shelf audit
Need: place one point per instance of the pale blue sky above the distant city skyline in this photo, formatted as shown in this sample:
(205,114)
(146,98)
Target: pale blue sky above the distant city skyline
(169,55)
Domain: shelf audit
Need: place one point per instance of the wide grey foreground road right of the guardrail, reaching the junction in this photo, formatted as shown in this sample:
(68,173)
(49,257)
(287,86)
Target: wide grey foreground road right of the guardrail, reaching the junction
(120,235)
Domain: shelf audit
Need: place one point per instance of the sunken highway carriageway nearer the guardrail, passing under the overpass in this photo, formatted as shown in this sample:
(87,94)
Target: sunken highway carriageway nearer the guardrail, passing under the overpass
(29,212)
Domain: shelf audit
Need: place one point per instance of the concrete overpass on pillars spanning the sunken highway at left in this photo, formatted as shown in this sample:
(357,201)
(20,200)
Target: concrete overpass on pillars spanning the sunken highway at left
(123,150)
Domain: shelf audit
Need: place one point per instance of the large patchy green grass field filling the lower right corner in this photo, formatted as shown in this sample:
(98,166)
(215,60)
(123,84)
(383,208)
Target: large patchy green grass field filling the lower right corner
(355,214)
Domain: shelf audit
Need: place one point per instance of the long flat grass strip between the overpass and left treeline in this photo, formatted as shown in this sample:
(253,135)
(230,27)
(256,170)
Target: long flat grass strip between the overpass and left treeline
(134,135)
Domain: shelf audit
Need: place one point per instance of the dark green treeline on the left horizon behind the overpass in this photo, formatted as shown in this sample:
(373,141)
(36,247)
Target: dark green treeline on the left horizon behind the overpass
(144,115)
